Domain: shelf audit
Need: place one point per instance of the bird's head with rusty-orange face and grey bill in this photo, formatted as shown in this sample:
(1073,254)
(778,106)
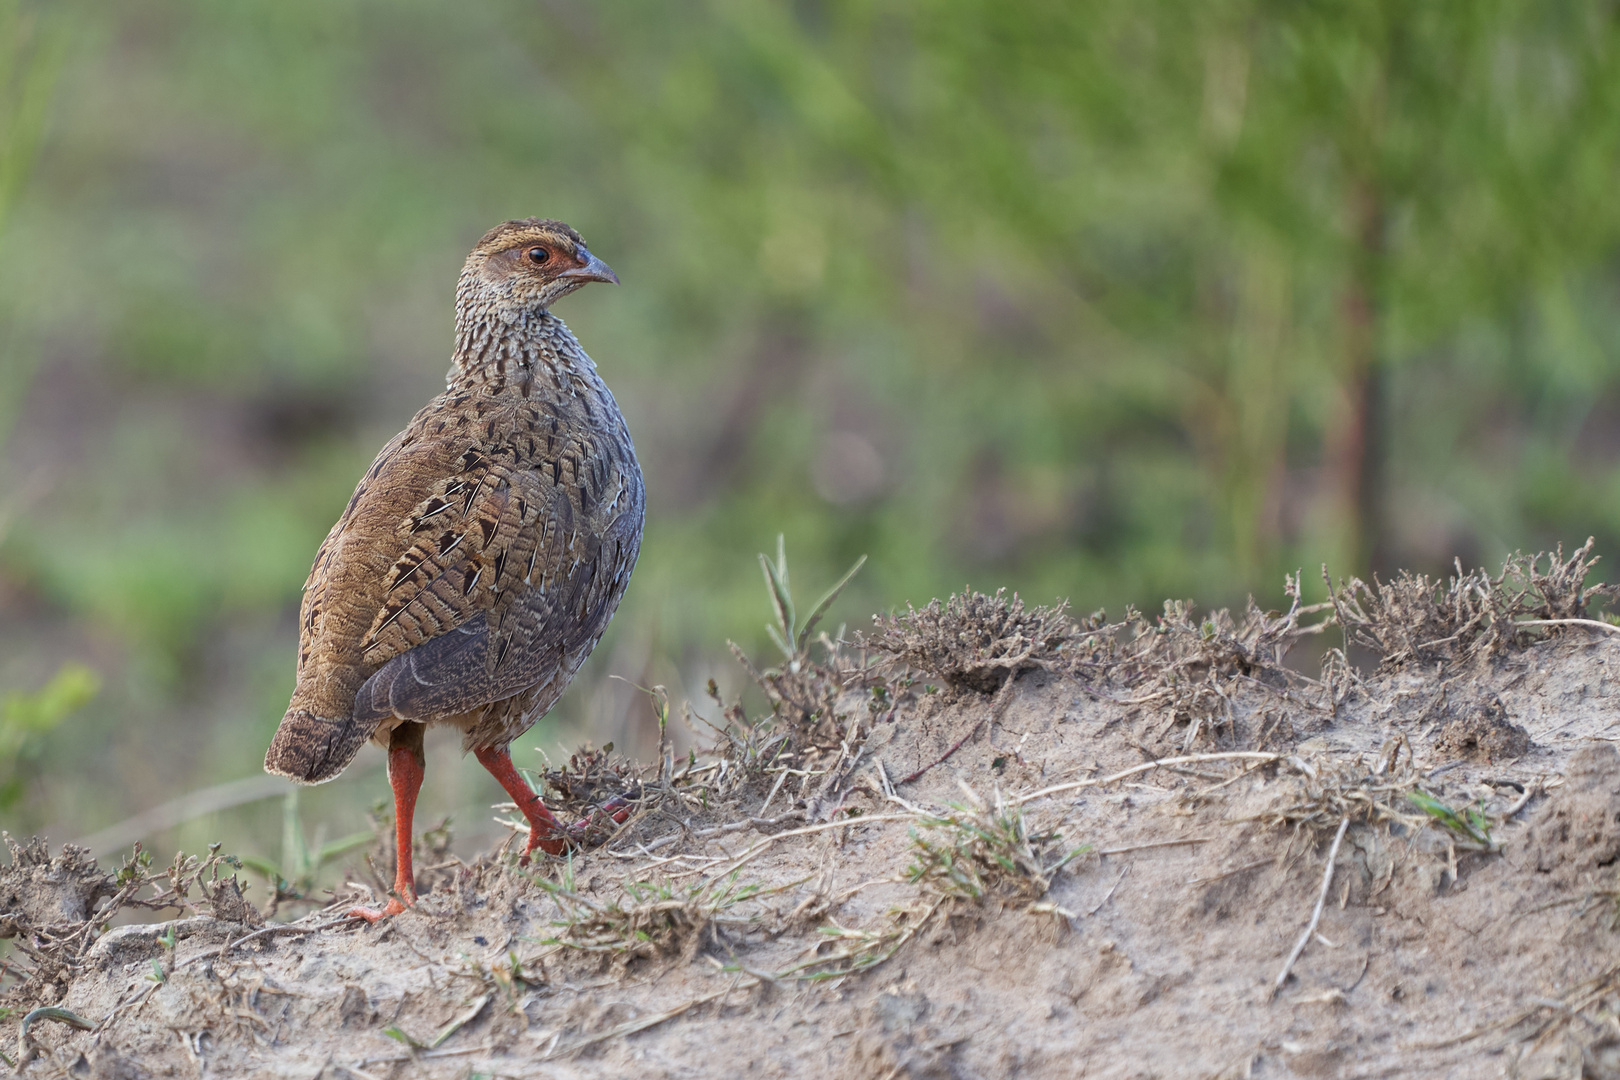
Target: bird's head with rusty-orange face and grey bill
(529,265)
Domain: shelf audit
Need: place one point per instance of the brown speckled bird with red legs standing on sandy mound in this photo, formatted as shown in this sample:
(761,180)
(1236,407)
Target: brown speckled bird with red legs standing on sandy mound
(484,553)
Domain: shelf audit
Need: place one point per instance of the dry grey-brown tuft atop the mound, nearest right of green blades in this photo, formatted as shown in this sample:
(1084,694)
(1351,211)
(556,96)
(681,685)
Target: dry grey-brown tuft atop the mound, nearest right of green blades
(973,640)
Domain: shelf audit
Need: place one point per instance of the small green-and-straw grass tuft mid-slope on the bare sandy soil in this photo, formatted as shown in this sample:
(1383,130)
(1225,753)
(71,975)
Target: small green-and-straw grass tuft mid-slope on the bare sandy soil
(984,849)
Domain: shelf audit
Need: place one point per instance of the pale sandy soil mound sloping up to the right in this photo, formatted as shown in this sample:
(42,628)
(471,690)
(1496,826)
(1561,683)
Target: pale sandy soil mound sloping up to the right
(791,940)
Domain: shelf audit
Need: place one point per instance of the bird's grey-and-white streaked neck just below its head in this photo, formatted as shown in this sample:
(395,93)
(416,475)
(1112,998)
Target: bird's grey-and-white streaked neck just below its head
(497,349)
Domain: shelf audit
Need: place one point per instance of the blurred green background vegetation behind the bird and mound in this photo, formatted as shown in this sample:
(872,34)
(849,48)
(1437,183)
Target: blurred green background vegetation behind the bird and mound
(1109,300)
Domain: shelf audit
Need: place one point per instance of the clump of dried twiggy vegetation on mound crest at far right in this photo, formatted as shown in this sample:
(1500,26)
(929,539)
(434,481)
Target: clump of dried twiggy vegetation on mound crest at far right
(1415,619)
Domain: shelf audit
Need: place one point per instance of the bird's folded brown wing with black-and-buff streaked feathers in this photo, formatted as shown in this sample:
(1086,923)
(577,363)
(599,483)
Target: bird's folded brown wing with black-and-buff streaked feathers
(505,582)
